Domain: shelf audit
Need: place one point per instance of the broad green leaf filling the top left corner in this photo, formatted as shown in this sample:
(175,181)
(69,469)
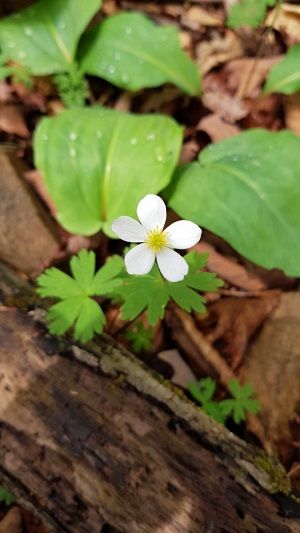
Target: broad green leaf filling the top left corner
(44,37)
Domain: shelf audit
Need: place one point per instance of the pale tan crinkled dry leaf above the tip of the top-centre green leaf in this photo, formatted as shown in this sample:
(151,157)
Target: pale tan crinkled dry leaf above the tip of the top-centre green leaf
(219,50)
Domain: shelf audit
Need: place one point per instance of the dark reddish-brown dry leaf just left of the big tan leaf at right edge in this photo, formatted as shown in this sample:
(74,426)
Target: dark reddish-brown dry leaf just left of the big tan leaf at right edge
(237,319)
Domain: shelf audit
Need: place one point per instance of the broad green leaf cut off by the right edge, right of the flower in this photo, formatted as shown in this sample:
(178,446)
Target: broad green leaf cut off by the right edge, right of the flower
(247,190)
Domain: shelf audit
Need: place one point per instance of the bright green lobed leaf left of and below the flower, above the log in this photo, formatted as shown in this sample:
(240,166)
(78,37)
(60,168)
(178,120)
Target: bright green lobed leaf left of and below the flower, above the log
(76,307)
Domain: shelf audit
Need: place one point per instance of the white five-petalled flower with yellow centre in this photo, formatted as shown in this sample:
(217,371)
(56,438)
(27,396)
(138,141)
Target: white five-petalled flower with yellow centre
(157,243)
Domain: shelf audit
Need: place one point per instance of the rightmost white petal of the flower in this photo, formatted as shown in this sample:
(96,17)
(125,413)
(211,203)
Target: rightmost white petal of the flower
(183,234)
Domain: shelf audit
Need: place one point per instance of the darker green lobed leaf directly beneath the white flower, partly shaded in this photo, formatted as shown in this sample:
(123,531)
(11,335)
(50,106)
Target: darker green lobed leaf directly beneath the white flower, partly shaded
(152,292)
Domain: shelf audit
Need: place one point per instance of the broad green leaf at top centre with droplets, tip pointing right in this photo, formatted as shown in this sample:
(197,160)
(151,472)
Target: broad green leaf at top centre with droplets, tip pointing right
(132,52)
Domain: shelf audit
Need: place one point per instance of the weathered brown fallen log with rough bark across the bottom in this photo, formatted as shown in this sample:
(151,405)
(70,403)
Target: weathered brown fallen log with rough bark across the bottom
(93,441)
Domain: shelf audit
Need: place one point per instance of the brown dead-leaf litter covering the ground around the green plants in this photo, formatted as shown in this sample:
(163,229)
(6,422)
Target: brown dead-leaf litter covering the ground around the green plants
(251,330)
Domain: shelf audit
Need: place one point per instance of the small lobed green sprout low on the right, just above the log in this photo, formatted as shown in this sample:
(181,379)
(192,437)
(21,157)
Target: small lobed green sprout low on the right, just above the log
(236,407)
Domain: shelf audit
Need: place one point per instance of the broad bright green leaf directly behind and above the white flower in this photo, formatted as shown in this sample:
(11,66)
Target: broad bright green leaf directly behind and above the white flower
(98,163)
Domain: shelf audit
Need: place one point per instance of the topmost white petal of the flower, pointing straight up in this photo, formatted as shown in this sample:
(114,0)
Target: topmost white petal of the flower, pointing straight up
(151,211)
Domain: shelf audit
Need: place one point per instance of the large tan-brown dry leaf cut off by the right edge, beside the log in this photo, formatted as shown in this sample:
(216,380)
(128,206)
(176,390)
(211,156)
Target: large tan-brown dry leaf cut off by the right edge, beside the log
(272,365)
